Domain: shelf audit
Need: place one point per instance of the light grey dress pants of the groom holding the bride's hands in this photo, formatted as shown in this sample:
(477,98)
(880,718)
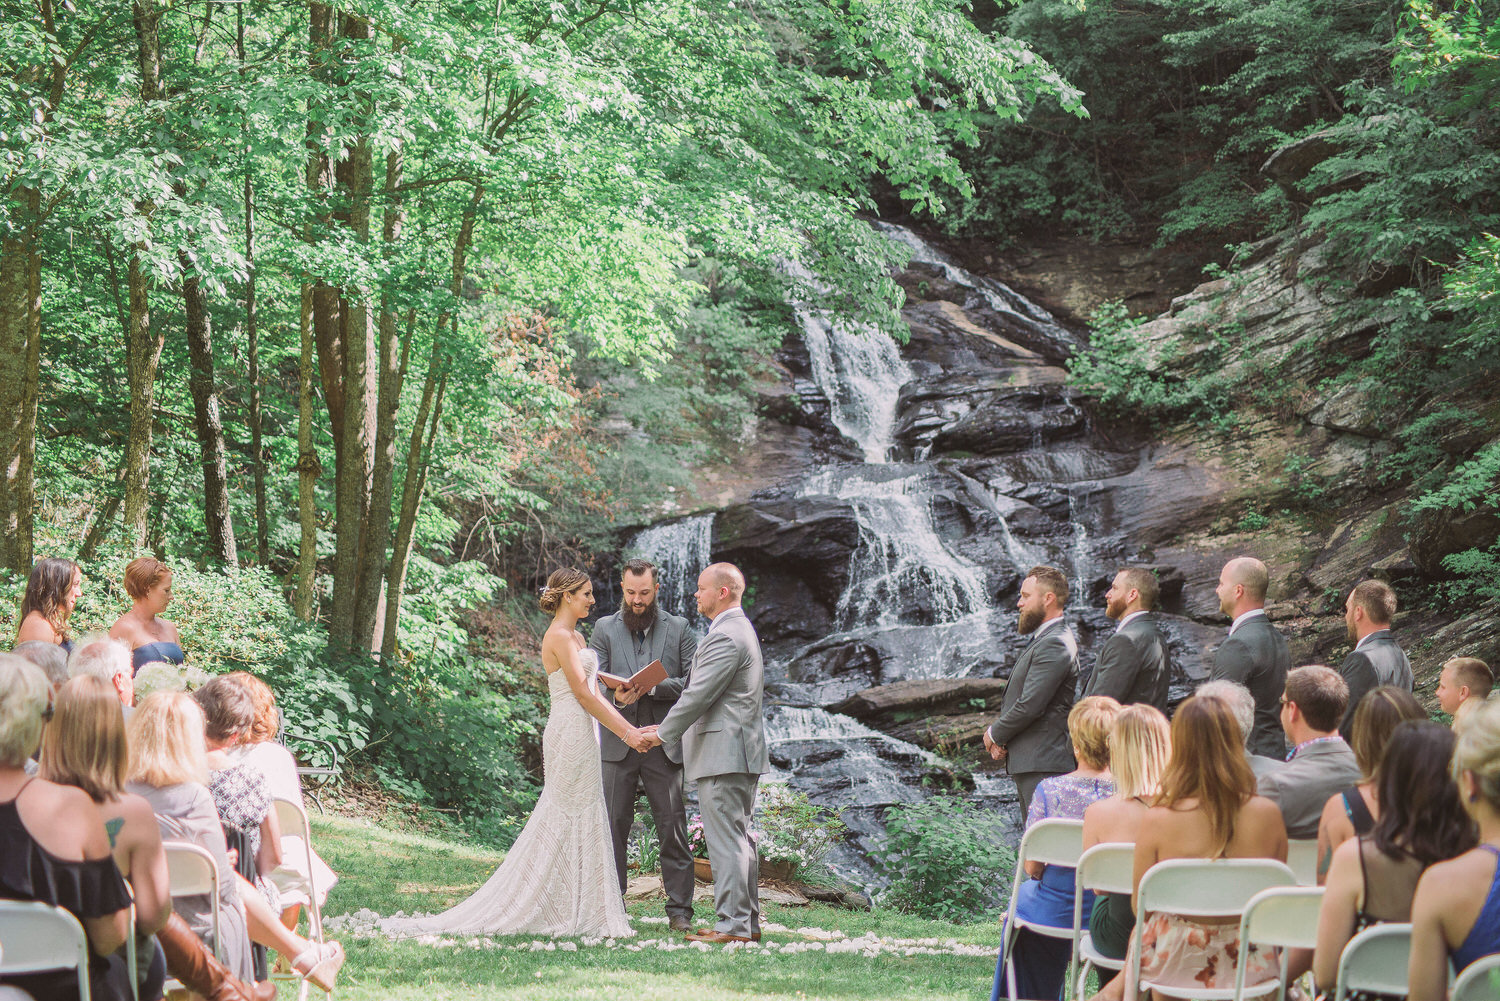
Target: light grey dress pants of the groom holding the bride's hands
(727,804)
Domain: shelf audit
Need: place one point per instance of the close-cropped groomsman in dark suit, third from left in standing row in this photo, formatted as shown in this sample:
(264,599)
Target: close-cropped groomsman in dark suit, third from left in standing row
(1255,654)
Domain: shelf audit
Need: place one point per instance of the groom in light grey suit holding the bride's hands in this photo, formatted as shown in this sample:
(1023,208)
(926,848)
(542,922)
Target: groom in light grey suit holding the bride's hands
(718,720)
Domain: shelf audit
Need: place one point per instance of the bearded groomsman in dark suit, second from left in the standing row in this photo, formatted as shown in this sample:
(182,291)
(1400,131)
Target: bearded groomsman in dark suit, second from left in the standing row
(1135,664)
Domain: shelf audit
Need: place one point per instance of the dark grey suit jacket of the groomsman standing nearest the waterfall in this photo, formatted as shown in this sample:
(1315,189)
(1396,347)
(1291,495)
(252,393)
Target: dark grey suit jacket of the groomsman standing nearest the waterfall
(1039,696)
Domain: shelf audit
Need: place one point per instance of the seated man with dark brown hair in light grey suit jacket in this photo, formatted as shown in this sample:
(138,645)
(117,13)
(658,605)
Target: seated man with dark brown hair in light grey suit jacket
(1321,763)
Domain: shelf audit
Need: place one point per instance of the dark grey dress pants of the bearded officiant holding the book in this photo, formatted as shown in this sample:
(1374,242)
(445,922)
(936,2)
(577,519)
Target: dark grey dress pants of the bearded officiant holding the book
(664,783)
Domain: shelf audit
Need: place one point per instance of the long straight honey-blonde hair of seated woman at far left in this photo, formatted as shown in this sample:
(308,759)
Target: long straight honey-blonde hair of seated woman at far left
(85,747)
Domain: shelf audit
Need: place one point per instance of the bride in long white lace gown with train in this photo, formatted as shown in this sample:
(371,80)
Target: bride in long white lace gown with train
(559,879)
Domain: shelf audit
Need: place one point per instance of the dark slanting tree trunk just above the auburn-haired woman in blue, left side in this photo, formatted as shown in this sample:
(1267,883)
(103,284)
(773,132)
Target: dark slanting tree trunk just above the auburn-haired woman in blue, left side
(206,418)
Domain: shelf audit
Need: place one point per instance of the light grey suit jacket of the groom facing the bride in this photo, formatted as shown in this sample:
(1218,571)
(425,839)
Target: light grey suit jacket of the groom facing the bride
(718,717)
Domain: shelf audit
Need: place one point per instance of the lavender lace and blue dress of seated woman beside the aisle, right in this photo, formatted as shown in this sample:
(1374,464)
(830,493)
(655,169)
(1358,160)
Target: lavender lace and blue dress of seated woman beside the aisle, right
(1042,963)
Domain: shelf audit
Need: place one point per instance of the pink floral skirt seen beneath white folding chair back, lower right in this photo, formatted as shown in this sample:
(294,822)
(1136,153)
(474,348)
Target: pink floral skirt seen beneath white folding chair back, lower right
(1180,952)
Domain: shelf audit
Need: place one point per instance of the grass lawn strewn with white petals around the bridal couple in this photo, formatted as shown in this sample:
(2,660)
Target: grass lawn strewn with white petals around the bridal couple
(808,952)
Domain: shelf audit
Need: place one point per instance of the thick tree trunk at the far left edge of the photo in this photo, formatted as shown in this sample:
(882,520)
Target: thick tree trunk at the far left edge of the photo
(20,355)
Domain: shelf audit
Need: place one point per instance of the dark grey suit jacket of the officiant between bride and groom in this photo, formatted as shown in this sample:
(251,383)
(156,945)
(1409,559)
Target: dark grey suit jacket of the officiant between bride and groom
(671,642)
